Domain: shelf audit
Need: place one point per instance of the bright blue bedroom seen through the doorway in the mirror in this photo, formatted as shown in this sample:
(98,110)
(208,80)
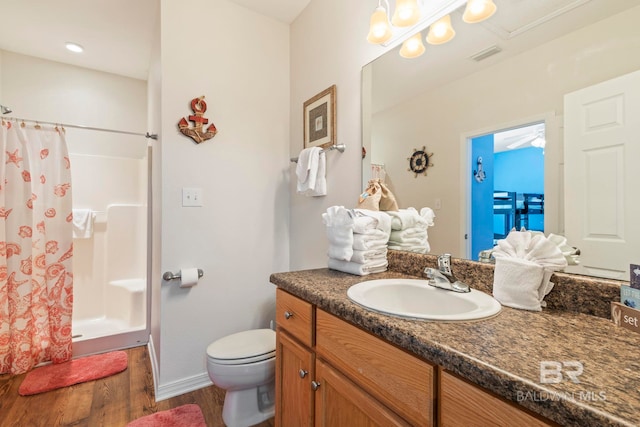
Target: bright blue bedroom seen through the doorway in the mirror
(507,186)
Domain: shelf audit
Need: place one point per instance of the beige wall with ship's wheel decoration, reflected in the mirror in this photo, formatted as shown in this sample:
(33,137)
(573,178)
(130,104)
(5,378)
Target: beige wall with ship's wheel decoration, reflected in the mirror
(524,87)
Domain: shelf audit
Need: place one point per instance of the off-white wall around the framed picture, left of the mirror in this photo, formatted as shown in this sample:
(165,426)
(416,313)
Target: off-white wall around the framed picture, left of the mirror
(328,46)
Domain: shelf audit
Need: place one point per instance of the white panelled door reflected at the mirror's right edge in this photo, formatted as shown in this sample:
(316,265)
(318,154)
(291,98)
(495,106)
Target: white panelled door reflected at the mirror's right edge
(602,175)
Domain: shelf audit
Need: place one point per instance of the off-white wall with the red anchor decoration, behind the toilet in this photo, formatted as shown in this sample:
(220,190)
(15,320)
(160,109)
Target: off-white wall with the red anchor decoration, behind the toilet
(239,61)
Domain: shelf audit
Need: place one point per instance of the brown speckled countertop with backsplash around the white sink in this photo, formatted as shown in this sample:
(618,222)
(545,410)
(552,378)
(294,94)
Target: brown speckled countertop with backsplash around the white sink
(503,353)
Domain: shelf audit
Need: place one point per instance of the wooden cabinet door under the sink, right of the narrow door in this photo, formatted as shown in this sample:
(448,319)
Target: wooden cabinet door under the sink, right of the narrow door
(339,402)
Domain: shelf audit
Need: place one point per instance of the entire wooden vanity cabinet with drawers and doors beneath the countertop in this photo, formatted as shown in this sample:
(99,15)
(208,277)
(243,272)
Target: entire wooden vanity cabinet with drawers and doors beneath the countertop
(331,373)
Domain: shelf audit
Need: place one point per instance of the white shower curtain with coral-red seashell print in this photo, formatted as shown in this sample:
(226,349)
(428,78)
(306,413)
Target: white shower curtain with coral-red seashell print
(36,247)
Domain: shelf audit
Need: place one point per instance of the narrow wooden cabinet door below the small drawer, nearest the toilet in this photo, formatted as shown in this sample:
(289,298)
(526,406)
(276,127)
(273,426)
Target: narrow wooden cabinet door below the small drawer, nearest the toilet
(294,371)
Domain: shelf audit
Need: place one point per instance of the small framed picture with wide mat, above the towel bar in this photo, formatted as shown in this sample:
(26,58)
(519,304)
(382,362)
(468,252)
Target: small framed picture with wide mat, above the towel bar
(319,116)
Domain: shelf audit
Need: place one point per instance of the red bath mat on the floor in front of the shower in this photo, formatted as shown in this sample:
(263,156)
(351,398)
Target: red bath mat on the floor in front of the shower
(76,371)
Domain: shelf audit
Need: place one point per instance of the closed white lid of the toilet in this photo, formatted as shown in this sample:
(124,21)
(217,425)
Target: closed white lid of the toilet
(244,345)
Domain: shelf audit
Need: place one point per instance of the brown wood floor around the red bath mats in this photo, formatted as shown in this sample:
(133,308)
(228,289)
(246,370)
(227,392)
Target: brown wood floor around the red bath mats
(109,402)
